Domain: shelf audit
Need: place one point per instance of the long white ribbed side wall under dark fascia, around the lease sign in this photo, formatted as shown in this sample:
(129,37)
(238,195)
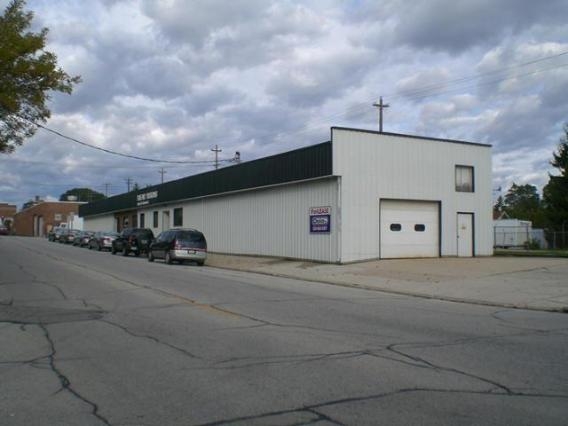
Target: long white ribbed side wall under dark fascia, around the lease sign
(268,222)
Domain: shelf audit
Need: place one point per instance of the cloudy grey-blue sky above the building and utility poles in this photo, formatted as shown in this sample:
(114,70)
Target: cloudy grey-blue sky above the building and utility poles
(171,79)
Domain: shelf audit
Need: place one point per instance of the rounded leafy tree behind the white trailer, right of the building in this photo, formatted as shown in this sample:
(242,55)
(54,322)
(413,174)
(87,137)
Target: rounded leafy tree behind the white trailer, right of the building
(523,202)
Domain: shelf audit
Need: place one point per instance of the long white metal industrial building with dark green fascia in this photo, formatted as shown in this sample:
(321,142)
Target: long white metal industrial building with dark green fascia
(362,195)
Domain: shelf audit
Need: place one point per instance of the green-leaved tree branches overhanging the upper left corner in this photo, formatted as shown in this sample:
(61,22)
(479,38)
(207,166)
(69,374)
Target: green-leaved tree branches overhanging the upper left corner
(28,74)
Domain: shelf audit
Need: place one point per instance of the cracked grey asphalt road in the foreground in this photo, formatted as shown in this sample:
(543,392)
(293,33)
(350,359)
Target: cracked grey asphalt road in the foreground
(87,338)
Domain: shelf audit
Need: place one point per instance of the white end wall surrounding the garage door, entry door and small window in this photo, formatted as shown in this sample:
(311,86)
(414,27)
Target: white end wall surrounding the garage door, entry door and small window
(377,166)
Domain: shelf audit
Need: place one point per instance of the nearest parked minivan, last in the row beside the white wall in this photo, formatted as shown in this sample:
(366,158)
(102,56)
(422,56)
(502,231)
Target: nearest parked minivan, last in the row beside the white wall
(179,245)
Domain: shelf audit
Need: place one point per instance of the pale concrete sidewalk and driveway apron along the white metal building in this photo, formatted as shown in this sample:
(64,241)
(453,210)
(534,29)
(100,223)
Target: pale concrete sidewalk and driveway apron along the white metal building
(527,283)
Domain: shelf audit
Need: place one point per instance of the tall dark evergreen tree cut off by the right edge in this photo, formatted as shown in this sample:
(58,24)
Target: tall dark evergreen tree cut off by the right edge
(555,193)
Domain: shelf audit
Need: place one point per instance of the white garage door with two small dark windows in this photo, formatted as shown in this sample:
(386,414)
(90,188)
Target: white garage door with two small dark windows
(409,229)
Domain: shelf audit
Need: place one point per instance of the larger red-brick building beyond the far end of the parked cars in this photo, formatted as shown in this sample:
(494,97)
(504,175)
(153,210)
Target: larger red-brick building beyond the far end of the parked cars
(37,220)
